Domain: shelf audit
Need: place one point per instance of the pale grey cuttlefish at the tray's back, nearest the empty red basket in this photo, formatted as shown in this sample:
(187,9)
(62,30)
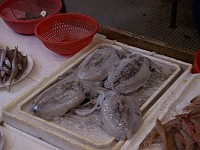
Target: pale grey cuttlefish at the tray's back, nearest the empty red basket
(96,66)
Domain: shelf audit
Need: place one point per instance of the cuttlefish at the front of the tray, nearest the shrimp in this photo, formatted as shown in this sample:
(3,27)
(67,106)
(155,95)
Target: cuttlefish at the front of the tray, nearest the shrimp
(121,116)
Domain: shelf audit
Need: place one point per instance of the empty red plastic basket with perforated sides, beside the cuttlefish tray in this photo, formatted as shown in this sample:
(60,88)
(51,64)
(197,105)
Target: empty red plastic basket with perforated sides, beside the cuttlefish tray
(67,33)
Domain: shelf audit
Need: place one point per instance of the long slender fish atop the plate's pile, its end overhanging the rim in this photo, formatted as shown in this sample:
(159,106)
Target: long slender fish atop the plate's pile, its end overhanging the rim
(14,69)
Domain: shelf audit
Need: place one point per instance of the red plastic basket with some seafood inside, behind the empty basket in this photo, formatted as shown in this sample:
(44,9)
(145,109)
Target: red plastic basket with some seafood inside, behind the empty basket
(12,11)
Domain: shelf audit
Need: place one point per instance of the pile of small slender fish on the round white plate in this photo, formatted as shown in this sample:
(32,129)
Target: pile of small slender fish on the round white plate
(12,66)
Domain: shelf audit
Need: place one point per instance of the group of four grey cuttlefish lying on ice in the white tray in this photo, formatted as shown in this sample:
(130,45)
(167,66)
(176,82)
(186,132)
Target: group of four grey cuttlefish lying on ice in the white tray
(102,82)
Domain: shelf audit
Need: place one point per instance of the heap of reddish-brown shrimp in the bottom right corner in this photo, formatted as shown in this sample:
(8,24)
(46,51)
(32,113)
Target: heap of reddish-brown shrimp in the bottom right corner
(182,132)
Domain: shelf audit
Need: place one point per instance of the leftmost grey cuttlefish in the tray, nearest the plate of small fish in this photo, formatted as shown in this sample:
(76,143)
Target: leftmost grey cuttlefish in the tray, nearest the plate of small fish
(58,99)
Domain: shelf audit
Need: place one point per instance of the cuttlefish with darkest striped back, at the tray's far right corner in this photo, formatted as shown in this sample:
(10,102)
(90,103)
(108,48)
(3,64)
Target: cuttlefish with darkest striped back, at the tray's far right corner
(130,74)
